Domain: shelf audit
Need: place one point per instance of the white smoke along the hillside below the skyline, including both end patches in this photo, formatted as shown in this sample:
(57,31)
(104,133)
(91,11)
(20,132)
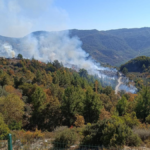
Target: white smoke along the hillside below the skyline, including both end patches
(51,46)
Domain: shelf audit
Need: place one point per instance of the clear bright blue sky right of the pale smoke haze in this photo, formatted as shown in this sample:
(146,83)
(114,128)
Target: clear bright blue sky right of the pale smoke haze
(106,14)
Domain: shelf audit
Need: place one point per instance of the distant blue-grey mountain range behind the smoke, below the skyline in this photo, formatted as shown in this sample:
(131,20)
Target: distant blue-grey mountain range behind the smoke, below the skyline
(114,47)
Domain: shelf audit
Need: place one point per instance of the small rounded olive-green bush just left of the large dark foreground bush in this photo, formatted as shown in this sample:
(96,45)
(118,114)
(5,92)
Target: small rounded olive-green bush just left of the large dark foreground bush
(65,139)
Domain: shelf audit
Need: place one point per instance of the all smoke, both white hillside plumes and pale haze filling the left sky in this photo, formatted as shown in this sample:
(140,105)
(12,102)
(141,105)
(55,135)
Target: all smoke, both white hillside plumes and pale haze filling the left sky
(22,17)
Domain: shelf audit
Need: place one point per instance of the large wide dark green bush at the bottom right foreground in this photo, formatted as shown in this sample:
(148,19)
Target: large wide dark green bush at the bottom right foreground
(111,132)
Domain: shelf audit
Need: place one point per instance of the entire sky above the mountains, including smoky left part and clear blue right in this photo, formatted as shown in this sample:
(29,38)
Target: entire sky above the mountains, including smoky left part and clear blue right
(20,17)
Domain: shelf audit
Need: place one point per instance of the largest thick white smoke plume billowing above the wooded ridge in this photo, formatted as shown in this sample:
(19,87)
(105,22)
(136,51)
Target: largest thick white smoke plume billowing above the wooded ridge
(58,46)
